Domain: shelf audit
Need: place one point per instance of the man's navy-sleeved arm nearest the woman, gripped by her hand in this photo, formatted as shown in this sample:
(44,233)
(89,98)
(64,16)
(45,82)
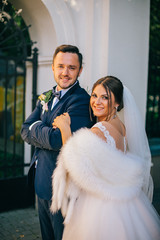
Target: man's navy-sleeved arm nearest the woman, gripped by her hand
(46,137)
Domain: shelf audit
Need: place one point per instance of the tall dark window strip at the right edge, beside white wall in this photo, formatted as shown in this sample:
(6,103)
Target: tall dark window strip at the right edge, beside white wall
(153,99)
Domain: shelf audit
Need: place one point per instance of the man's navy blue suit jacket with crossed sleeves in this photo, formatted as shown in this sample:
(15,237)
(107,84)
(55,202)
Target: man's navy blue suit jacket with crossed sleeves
(47,141)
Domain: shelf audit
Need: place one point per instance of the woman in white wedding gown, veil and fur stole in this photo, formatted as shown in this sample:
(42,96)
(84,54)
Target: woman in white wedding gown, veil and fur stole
(102,182)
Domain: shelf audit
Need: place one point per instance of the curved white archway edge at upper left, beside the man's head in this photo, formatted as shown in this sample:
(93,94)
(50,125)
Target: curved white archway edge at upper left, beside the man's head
(51,25)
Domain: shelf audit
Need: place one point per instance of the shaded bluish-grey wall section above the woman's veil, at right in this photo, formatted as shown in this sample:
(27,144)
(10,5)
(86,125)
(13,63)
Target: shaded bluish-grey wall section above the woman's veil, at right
(129,46)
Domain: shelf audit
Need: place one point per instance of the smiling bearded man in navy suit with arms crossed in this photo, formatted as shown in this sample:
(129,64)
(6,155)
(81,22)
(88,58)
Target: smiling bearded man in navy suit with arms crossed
(37,130)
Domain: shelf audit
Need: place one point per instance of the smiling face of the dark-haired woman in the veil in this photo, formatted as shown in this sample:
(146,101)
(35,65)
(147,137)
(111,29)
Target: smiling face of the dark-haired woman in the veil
(100,104)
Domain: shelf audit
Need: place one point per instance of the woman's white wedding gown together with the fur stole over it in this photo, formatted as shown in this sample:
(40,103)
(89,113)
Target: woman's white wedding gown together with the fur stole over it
(99,189)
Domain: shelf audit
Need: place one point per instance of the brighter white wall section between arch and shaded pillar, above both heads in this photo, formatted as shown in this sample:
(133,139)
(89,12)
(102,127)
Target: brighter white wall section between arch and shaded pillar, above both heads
(90,23)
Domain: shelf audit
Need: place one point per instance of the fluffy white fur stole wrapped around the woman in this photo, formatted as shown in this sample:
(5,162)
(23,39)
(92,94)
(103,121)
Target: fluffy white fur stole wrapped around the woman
(87,162)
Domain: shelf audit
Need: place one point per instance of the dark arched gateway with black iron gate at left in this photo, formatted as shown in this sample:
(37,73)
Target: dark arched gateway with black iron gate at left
(15,48)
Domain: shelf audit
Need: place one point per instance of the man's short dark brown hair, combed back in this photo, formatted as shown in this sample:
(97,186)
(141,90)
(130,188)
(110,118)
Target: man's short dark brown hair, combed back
(71,49)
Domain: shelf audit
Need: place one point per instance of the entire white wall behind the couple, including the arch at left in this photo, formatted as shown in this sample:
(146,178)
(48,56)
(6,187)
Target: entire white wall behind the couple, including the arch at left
(112,35)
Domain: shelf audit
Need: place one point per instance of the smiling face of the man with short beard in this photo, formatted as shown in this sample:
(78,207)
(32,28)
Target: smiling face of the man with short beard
(66,69)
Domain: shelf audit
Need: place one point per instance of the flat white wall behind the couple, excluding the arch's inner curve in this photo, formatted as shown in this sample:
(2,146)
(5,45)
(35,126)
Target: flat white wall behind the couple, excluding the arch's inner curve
(113,36)
